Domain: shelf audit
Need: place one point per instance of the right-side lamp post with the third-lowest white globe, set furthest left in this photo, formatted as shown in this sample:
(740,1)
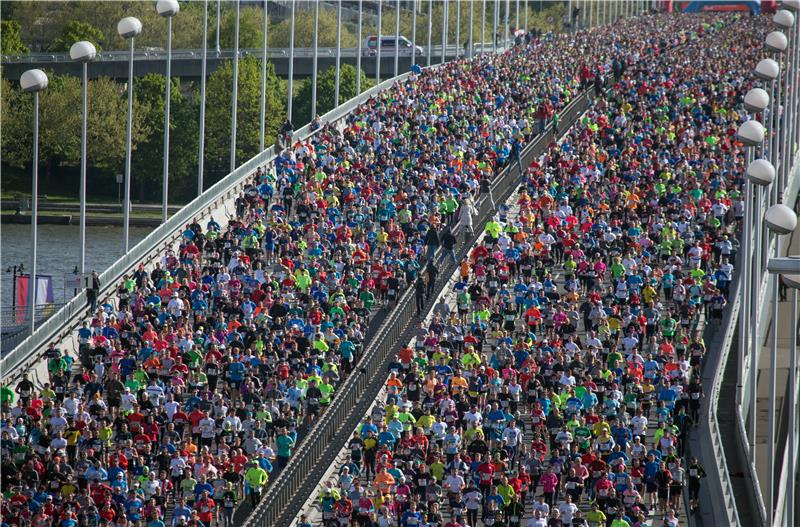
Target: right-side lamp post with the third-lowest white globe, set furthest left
(751,134)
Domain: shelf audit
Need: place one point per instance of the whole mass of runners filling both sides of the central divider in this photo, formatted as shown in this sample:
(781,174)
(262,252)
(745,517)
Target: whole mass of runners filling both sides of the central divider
(191,387)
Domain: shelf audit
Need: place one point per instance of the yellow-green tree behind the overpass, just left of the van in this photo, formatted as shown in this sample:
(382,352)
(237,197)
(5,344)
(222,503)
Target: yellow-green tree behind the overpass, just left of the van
(304,31)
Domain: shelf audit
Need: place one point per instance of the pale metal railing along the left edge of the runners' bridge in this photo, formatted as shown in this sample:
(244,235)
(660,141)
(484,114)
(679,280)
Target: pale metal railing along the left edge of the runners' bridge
(67,318)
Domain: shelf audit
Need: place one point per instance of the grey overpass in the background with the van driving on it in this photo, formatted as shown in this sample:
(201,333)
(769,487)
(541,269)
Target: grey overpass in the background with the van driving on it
(188,63)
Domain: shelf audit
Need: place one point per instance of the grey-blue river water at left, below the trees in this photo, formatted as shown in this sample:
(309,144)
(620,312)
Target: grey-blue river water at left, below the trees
(58,249)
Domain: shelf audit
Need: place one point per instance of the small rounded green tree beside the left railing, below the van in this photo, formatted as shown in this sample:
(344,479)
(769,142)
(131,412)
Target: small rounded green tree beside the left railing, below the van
(326,91)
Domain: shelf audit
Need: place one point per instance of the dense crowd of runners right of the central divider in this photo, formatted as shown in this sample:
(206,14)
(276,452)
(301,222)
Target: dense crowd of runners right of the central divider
(556,384)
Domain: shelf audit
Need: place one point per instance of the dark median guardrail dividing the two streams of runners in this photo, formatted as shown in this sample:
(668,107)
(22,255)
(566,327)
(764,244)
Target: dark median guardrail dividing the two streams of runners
(294,483)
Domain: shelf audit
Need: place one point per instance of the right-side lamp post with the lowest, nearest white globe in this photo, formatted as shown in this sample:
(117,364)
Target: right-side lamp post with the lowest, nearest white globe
(780,220)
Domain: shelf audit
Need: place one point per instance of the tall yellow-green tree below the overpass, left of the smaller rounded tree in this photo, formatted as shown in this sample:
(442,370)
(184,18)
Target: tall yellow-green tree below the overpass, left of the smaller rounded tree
(218,113)
